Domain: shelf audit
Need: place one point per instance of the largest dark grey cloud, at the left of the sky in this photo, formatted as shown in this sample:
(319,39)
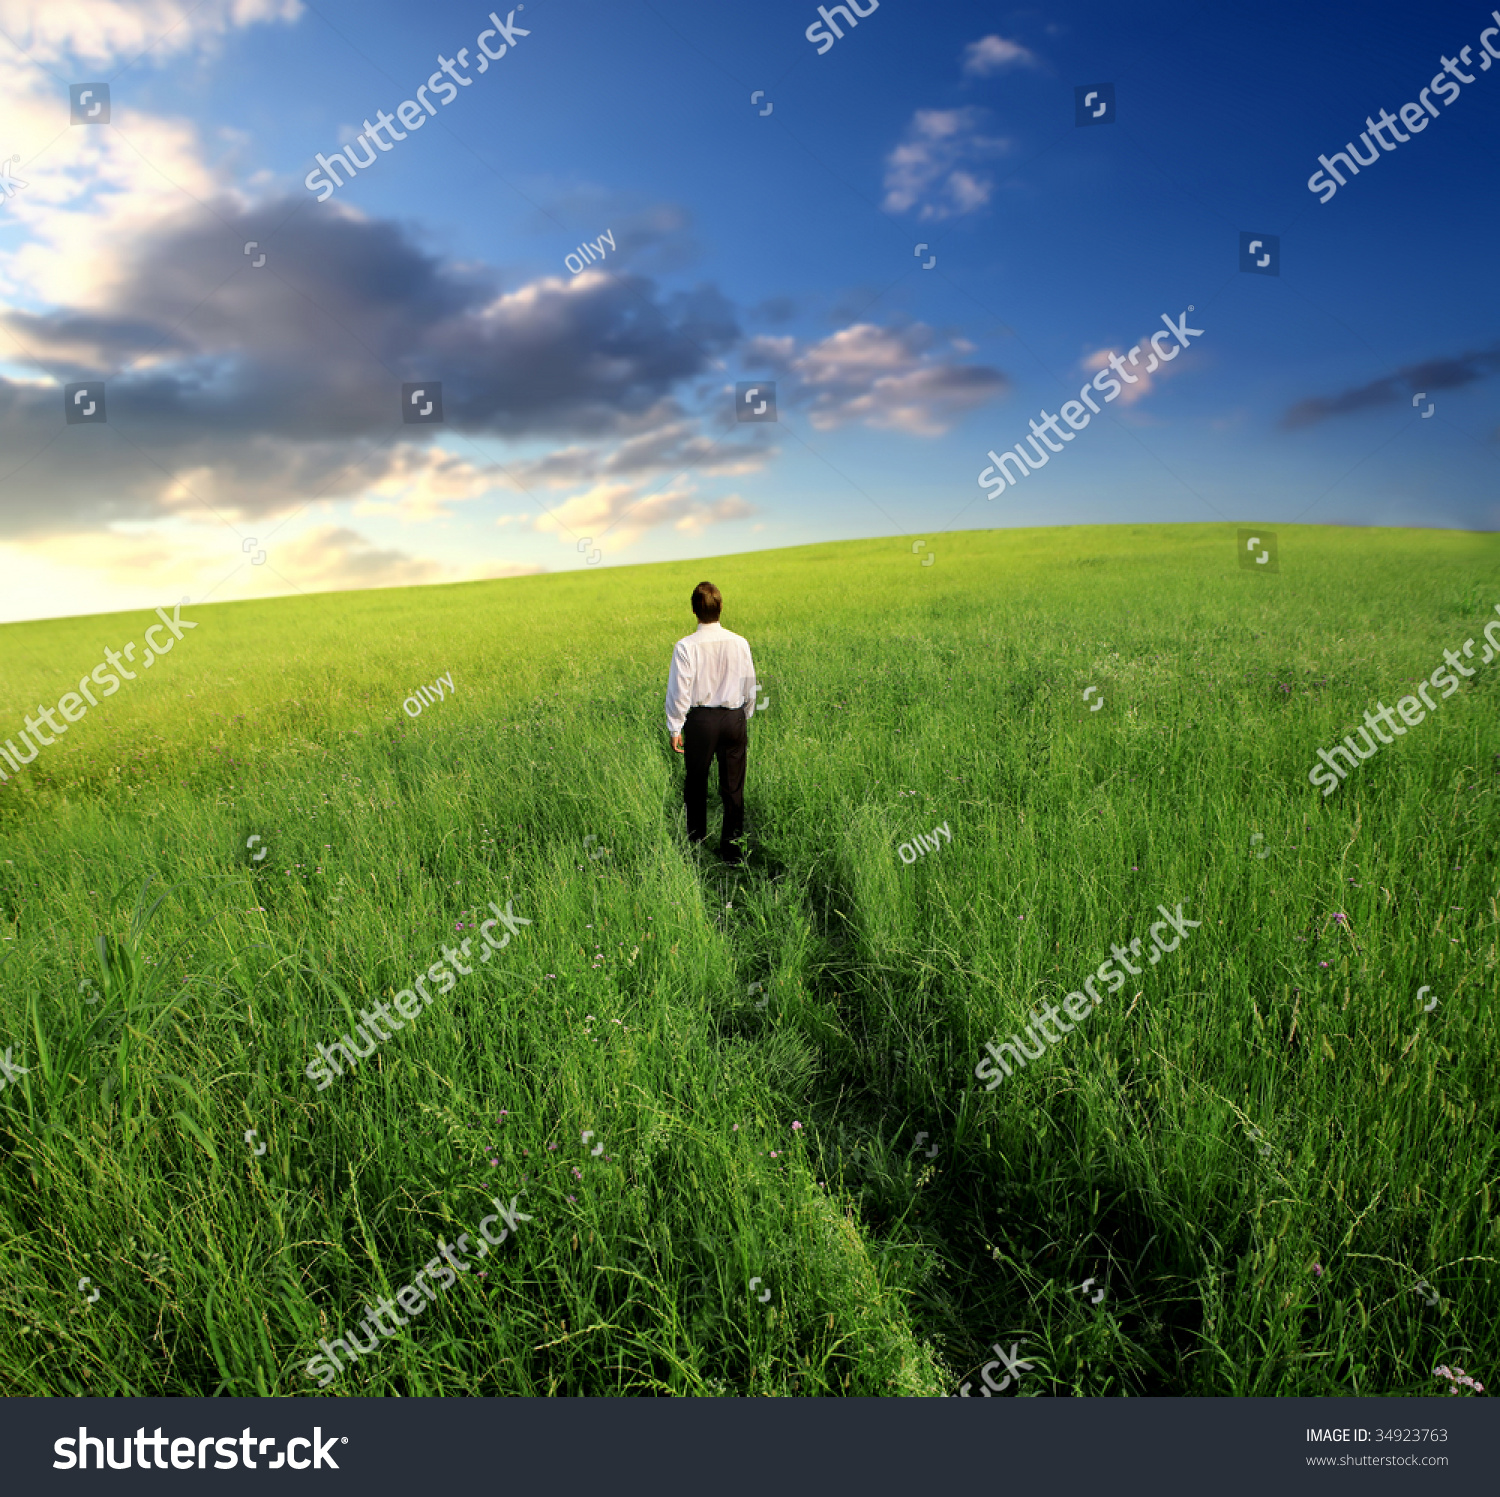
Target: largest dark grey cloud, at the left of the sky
(271,383)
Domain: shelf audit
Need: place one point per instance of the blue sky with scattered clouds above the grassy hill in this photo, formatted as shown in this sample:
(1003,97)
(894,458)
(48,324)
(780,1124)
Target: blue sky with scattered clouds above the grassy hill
(256,410)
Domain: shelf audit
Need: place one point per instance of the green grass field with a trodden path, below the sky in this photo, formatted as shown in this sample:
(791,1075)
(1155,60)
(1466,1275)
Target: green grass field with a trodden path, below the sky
(1259,1150)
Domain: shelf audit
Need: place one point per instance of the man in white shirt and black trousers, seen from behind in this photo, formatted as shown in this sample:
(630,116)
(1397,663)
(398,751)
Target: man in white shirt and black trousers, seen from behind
(710,698)
